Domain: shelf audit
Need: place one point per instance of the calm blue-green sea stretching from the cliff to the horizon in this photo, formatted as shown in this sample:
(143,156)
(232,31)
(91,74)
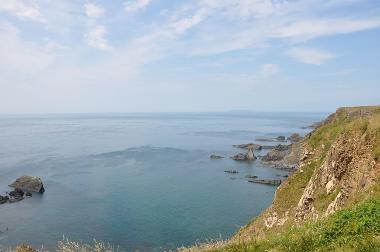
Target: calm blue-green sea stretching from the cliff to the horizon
(139,181)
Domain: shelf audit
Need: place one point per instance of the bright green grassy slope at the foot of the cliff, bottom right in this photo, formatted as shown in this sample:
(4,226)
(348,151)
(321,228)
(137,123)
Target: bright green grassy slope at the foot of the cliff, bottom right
(355,229)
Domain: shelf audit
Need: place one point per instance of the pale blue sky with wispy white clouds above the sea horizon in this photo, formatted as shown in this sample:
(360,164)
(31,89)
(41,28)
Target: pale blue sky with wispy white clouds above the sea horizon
(87,56)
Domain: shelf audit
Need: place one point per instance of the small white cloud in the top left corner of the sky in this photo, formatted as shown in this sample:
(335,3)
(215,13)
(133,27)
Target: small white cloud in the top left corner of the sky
(21,9)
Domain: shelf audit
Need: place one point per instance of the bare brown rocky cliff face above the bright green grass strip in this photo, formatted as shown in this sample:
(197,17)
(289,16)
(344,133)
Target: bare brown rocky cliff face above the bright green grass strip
(339,166)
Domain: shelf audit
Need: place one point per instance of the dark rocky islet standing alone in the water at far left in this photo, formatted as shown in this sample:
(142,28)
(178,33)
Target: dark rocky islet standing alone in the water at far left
(23,187)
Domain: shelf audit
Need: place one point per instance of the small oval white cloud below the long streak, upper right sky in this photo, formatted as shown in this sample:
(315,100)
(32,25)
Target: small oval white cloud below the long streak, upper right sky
(310,55)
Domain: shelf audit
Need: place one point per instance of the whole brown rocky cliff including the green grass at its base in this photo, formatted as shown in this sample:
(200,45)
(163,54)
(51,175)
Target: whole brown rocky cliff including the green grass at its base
(332,201)
